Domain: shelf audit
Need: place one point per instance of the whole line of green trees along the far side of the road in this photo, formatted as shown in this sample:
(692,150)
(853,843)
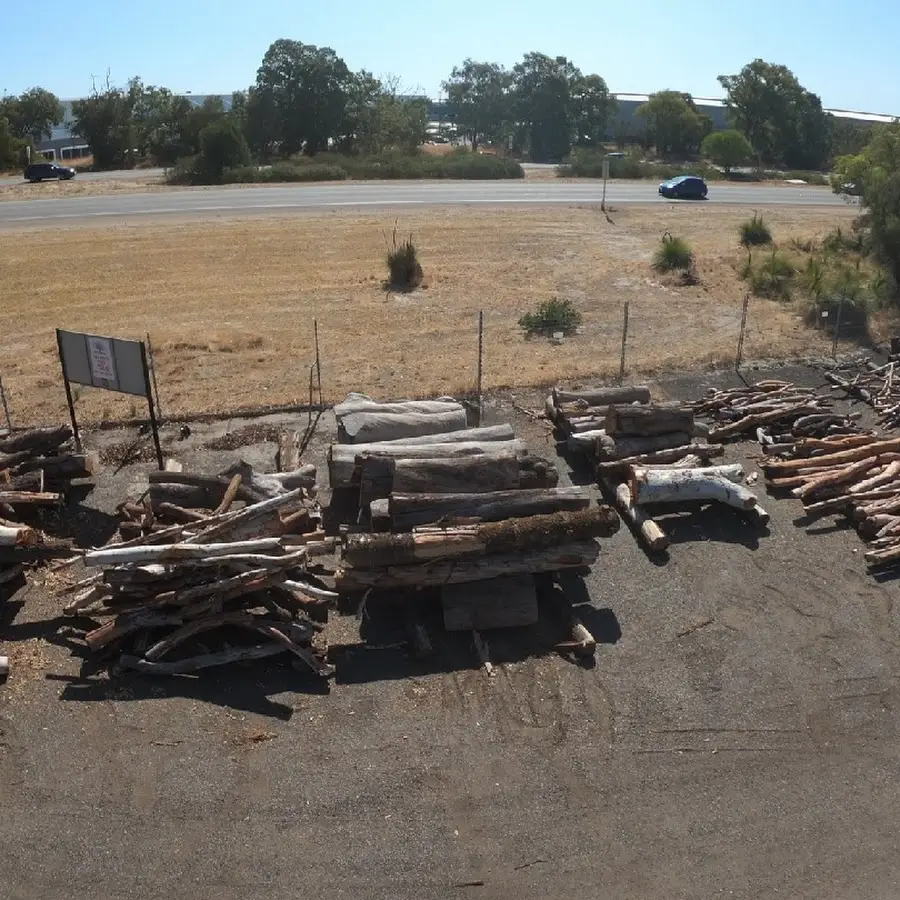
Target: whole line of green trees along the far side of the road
(306,99)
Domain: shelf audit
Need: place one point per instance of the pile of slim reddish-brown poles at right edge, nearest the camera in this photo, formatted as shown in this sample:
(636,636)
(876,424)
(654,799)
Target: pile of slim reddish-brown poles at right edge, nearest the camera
(856,476)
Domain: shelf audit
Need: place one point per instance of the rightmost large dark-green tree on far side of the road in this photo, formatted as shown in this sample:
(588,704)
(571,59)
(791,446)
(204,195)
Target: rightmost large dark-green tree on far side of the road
(784,122)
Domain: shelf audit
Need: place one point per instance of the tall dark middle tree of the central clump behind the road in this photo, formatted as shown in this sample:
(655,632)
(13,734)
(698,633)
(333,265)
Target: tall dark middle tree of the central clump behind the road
(543,105)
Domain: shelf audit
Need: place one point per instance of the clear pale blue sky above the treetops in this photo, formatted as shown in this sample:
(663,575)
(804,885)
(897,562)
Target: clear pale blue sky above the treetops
(846,53)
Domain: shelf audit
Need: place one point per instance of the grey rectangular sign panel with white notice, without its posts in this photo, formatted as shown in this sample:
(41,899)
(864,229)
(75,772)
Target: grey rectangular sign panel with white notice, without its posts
(109,363)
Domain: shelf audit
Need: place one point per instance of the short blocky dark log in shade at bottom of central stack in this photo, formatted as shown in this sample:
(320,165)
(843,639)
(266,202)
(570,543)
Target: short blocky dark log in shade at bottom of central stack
(508,602)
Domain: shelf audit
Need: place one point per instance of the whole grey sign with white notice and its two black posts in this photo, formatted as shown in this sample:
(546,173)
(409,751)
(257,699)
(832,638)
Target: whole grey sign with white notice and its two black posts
(108,363)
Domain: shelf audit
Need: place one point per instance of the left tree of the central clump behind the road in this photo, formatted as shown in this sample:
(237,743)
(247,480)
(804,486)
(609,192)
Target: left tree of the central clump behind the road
(479,101)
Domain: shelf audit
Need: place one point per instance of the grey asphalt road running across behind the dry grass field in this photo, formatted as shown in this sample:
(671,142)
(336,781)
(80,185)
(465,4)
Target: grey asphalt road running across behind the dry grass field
(203,203)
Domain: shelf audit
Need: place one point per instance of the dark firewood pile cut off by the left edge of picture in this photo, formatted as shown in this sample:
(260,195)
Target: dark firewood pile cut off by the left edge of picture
(37,468)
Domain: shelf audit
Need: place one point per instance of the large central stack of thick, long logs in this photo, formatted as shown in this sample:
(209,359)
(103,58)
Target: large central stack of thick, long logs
(451,506)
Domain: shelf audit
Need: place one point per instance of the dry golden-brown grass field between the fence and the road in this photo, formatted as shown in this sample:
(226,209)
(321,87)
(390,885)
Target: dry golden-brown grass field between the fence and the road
(229,304)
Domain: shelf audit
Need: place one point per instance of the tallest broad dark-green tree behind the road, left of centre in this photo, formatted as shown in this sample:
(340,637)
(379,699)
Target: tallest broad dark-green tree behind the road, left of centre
(303,90)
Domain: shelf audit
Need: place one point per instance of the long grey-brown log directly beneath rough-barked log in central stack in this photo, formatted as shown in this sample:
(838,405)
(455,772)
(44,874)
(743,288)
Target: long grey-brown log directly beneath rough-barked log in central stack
(465,570)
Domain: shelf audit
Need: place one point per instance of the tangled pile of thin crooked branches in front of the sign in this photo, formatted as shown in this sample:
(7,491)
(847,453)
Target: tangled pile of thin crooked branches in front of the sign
(224,588)
